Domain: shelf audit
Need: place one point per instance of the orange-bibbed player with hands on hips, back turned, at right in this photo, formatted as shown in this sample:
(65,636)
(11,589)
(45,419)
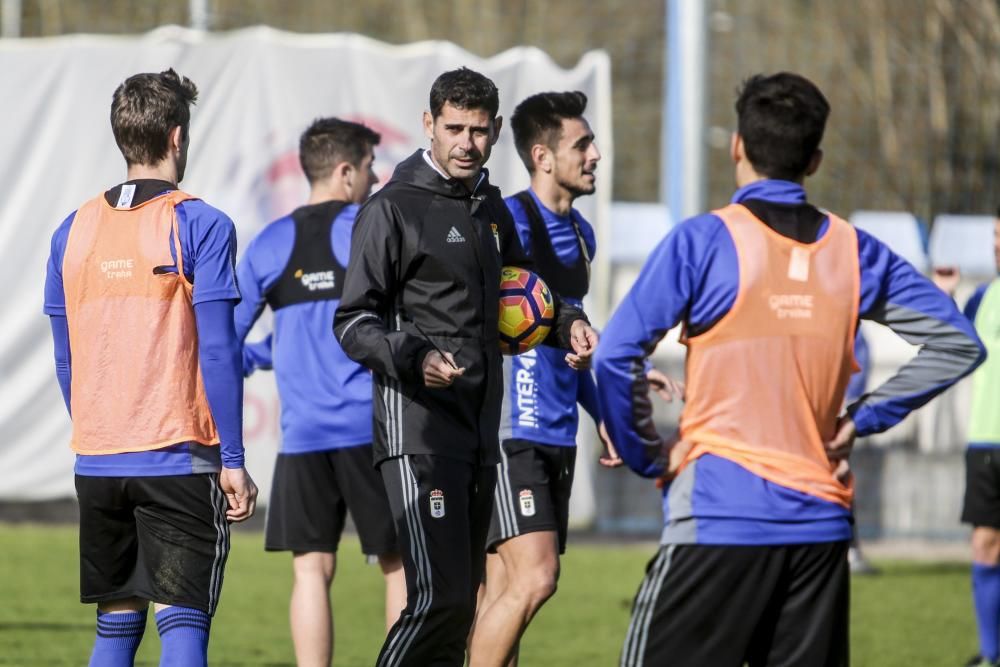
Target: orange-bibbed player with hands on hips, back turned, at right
(753,560)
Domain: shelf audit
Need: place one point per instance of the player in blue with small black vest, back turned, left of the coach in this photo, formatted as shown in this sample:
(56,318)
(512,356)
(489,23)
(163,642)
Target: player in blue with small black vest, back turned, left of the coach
(296,266)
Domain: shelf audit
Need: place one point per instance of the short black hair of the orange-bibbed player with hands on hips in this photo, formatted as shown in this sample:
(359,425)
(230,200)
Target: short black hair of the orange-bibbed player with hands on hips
(781,120)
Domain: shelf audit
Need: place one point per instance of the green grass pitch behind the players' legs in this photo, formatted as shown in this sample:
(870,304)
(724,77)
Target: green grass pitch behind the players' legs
(911,615)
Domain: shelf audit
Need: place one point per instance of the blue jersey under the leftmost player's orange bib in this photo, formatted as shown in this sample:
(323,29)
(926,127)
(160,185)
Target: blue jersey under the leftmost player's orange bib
(208,241)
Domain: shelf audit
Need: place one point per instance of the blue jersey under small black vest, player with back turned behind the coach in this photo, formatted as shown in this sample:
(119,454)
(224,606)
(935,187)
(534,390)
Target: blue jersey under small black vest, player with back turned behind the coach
(326,398)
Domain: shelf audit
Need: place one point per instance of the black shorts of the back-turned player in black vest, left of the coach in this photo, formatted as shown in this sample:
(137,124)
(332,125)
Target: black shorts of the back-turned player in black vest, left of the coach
(311,495)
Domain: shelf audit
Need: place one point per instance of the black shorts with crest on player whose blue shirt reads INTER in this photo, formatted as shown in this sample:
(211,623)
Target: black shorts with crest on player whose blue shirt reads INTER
(534,481)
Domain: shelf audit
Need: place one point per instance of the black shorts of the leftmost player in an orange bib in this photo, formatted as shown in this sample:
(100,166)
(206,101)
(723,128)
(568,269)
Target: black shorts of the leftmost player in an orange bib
(163,539)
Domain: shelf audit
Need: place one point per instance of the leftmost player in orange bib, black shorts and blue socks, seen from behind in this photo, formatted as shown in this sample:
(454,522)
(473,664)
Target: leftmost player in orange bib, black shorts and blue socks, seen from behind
(140,290)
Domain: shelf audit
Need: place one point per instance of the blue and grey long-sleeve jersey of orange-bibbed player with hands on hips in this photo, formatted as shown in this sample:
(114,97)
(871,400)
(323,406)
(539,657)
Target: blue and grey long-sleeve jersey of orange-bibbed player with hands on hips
(692,277)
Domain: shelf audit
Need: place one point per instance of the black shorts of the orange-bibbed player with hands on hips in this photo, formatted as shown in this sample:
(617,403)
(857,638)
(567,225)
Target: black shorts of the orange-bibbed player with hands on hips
(727,606)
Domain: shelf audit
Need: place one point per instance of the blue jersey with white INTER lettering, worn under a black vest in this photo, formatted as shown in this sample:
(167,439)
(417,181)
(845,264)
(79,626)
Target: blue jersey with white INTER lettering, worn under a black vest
(541,392)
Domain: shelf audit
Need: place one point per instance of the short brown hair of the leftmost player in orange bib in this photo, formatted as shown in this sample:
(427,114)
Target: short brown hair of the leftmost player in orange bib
(145,109)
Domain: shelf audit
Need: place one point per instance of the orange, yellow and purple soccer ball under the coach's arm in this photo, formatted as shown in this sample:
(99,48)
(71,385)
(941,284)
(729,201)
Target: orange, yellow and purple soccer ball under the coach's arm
(527,311)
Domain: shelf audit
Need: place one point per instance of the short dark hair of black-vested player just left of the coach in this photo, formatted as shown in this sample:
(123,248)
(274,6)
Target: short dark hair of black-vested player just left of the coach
(330,141)
